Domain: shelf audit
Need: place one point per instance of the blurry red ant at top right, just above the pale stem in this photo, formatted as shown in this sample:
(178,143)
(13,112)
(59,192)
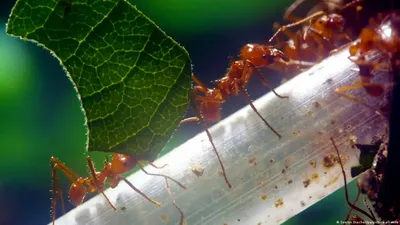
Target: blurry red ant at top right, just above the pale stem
(301,45)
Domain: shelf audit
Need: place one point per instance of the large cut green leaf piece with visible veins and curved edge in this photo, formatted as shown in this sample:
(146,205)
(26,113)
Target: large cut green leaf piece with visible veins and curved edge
(133,80)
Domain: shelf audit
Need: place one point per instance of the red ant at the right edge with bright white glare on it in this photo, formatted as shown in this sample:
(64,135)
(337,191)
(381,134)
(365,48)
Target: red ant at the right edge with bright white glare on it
(383,39)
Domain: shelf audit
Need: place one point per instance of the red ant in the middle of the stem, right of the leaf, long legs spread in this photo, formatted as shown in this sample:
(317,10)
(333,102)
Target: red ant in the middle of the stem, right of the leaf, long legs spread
(254,56)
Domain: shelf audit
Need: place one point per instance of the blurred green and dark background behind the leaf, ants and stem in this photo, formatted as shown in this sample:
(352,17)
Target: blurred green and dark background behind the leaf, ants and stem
(40,114)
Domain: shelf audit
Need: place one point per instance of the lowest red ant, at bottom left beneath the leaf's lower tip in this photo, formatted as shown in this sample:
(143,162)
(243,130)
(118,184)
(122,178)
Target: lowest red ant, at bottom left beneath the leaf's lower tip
(112,171)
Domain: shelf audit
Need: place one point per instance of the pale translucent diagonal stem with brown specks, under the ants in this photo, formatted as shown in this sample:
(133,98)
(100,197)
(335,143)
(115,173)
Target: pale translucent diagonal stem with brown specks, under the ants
(273,179)
